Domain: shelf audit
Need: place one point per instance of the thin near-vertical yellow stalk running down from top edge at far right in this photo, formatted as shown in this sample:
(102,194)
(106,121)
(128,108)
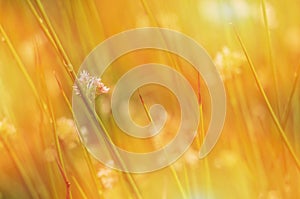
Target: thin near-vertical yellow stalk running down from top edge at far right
(271,58)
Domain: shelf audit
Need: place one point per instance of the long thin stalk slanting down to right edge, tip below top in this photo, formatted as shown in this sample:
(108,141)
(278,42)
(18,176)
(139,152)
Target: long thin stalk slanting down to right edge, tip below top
(269,106)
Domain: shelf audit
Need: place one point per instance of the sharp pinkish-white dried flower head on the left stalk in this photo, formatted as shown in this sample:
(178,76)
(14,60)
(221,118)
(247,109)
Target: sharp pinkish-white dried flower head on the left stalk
(90,85)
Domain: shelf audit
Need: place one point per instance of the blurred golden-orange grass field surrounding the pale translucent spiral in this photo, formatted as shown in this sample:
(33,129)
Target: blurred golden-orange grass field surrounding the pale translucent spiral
(255,46)
